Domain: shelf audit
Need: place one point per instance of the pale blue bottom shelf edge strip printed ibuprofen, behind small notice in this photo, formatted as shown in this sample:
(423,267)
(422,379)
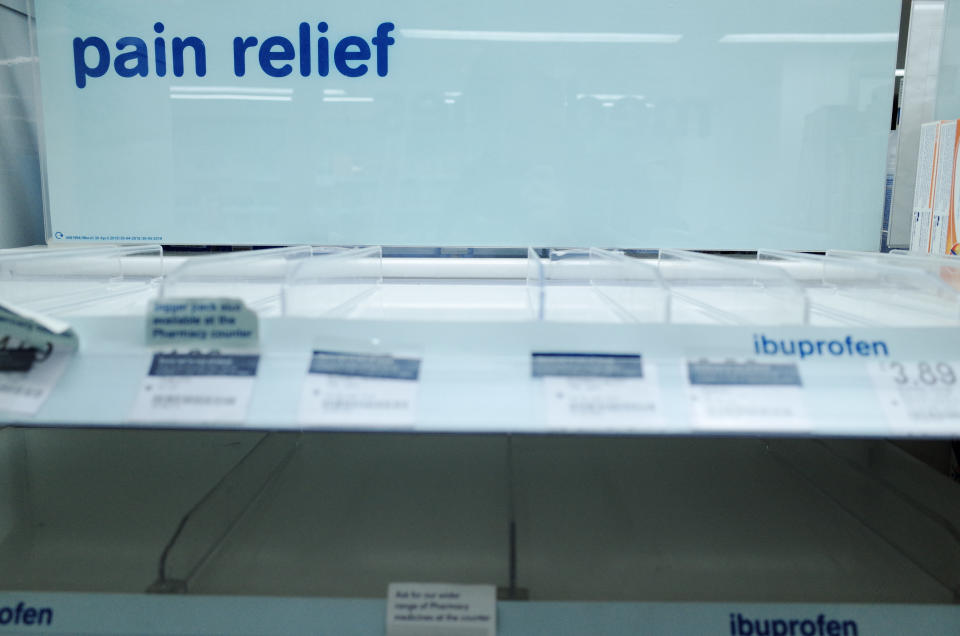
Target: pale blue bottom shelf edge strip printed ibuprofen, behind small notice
(108,614)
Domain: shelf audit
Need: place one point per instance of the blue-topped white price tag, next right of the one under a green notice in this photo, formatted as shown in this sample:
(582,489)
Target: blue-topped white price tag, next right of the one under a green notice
(355,388)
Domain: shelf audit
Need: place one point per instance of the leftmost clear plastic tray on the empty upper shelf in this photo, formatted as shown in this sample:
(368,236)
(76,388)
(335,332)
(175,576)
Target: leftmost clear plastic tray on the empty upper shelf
(97,280)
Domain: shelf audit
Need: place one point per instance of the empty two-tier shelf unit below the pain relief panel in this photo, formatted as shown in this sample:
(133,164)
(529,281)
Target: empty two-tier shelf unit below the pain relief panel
(484,486)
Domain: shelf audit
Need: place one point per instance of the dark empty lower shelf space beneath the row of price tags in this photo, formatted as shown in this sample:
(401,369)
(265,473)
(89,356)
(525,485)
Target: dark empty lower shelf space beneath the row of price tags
(559,519)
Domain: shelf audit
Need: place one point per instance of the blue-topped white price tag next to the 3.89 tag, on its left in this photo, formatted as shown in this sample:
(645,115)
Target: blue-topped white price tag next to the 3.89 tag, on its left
(739,395)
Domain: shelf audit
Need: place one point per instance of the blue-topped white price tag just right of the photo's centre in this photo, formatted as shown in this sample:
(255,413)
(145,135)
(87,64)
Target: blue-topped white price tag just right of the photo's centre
(598,391)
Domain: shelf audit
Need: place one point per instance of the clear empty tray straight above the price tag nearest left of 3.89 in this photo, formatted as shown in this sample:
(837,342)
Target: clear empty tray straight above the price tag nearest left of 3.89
(709,289)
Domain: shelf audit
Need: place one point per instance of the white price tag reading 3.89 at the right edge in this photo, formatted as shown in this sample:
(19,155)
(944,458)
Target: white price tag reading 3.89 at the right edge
(918,396)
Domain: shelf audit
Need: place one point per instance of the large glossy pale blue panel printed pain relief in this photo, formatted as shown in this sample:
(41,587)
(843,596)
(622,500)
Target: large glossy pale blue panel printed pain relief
(690,123)
